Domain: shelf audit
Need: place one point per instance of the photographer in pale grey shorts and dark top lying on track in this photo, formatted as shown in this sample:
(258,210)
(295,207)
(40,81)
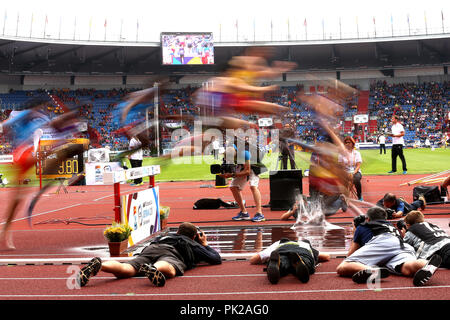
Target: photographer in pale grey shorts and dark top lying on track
(378,247)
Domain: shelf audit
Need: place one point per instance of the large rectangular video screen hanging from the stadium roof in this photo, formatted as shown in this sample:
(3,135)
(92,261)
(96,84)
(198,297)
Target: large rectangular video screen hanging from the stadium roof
(187,48)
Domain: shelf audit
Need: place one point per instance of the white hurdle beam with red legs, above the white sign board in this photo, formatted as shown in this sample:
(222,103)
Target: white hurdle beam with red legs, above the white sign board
(117,177)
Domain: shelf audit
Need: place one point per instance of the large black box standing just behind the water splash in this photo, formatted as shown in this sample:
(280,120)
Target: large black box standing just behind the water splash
(285,186)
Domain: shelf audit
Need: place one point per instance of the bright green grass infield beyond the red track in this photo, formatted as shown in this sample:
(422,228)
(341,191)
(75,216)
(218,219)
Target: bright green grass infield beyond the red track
(419,161)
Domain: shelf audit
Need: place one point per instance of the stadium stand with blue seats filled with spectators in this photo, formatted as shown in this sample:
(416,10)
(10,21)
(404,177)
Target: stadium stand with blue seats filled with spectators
(422,108)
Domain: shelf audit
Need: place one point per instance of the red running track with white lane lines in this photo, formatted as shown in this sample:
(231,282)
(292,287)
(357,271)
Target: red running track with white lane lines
(63,223)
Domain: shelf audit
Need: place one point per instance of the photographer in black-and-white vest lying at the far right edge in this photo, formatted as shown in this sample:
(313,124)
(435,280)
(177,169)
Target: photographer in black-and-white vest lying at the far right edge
(427,238)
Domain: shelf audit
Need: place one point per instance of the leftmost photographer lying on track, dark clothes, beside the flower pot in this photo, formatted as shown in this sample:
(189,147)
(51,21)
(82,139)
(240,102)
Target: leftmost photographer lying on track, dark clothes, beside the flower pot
(165,257)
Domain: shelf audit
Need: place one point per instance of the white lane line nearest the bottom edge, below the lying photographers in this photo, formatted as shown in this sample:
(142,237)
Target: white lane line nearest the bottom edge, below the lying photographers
(153,295)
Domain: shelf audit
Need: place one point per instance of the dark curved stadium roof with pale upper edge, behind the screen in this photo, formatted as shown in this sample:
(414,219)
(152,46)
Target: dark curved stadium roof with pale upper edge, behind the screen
(26,57)
